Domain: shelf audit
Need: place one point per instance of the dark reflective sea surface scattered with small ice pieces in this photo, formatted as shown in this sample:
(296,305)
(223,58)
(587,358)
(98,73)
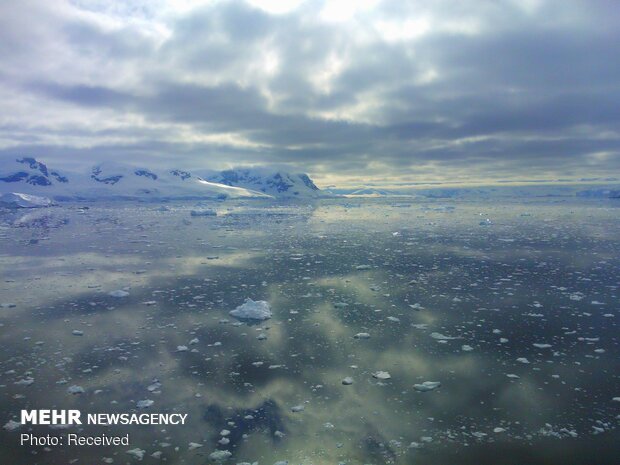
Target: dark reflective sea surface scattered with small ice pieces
(374,303)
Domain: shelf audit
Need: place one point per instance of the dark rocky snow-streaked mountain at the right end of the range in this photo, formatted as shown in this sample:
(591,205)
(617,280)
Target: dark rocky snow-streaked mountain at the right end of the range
(278,184)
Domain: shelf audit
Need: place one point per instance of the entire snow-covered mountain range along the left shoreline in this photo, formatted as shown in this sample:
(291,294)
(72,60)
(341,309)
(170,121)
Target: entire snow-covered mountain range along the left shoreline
(110,180)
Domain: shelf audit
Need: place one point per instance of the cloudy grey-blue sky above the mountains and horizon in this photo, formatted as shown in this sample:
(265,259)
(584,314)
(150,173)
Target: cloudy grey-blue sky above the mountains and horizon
(351,92)
